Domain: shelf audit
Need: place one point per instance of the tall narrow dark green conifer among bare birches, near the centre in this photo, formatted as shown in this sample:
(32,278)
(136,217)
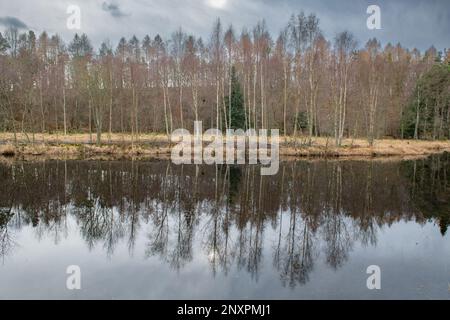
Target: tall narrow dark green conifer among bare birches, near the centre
(237,103)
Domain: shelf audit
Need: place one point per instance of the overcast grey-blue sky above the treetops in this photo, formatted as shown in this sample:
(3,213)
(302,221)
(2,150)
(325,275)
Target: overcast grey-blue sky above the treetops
(414,23)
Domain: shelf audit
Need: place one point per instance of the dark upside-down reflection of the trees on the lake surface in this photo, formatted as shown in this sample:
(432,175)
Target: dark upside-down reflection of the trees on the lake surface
(222,213)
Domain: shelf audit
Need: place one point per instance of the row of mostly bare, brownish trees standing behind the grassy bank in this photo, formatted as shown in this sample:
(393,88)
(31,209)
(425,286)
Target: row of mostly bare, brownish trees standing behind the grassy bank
(299,82)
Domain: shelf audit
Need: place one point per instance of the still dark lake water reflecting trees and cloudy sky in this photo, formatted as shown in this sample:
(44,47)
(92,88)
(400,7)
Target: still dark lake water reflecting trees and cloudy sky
(155,230)
